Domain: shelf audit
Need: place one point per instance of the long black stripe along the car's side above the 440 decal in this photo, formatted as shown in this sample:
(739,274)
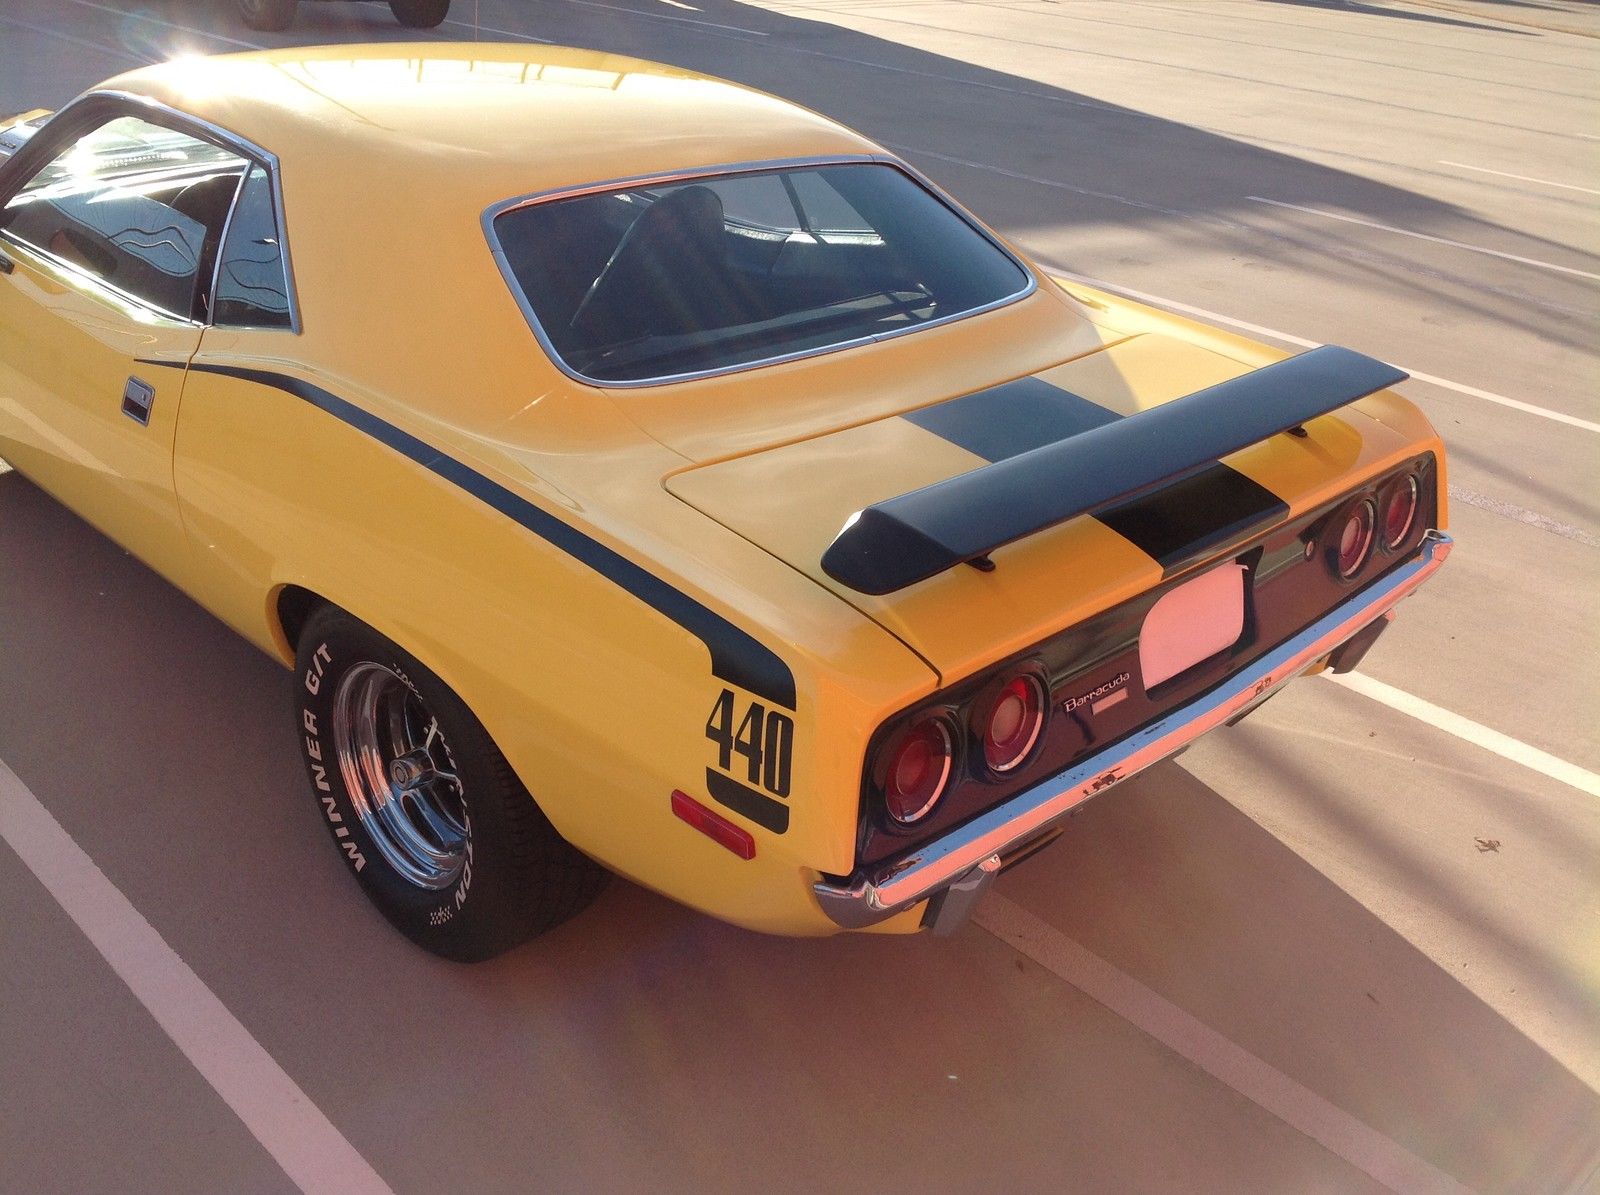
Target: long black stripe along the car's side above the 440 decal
(737,657)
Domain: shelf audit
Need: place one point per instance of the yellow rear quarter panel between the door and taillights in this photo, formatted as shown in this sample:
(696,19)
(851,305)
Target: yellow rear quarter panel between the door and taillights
(599,701)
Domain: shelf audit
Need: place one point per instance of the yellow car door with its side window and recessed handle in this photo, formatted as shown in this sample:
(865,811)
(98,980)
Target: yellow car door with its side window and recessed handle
(110,234)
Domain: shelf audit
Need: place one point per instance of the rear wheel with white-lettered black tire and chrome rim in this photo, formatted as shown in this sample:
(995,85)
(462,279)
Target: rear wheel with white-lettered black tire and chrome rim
(516,876)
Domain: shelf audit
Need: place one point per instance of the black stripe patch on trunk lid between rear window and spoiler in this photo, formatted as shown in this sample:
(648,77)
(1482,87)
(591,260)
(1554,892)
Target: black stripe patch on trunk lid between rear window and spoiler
(1014,418)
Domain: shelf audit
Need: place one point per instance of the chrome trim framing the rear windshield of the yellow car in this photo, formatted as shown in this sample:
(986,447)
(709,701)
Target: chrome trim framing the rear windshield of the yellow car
(497,250)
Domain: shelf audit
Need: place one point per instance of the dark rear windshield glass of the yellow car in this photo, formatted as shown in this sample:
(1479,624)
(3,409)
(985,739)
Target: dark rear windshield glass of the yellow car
(665,281)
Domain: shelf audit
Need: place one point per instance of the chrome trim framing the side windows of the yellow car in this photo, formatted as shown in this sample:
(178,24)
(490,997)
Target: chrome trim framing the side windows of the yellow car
(178,121)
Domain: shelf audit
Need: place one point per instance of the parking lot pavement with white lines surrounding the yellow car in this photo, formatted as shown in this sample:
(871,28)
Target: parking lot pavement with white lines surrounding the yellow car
(1351,945)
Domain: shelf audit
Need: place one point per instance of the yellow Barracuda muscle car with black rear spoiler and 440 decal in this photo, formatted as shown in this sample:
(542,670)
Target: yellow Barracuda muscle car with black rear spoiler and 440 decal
(646,474)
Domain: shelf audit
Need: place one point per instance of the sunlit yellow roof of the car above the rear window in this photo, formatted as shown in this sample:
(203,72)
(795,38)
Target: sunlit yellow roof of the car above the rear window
(487,122)
